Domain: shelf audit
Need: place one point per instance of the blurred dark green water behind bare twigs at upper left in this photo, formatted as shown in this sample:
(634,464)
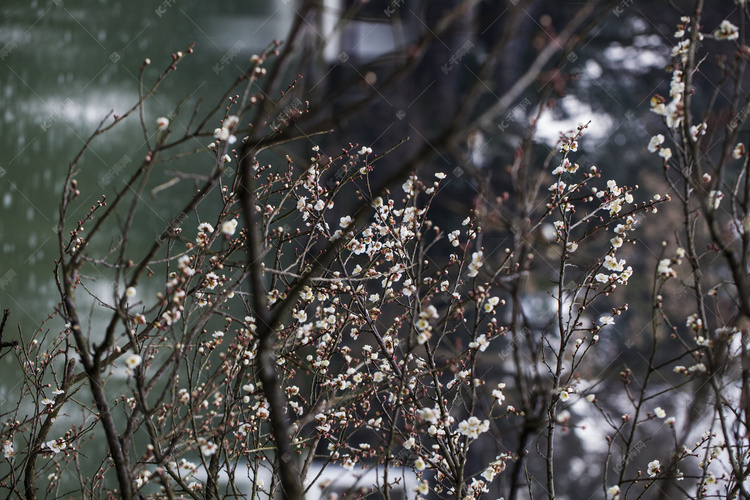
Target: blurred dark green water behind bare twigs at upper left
(63,66)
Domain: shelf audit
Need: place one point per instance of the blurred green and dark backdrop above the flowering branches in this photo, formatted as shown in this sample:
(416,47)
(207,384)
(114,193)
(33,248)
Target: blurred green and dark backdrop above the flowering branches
(66,65)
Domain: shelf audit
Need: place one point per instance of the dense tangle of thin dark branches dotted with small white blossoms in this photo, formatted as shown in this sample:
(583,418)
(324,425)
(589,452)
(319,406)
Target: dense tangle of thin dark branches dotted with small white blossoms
(389,338)
